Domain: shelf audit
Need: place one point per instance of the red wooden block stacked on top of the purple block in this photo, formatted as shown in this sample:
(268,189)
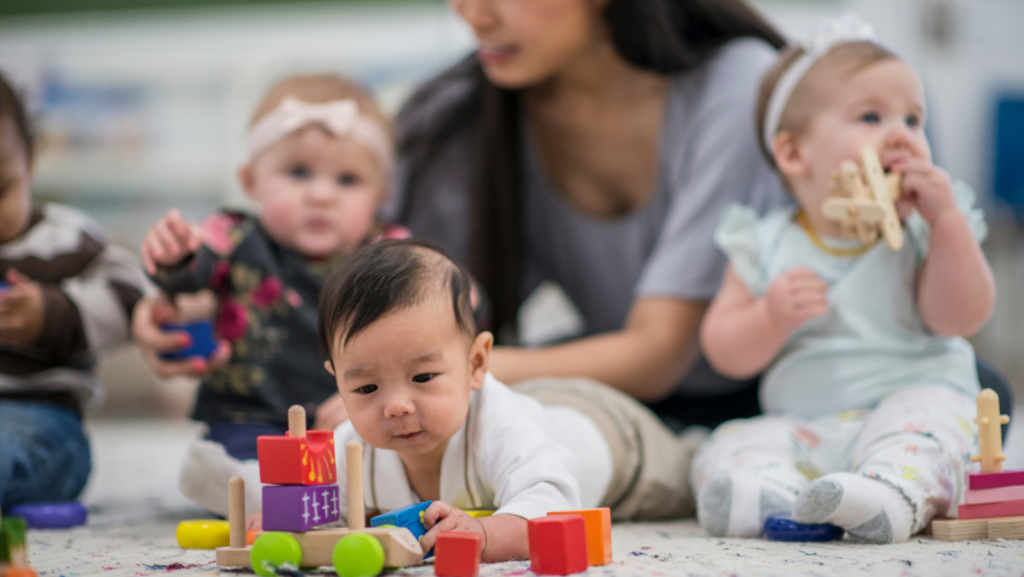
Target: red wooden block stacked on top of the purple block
(297,461)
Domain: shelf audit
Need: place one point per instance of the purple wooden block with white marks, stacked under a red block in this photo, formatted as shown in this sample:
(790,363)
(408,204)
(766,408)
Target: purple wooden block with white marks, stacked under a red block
(300,508)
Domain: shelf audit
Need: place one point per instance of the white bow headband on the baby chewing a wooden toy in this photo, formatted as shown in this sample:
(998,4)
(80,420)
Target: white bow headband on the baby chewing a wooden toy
(828,35)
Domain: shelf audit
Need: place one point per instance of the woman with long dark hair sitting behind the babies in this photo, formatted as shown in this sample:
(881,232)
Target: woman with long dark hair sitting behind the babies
(594,143)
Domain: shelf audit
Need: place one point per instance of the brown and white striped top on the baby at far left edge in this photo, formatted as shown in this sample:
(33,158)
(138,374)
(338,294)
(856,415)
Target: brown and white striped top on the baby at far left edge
(90,288)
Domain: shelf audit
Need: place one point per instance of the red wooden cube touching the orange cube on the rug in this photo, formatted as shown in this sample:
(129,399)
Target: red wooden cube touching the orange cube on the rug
(558,545)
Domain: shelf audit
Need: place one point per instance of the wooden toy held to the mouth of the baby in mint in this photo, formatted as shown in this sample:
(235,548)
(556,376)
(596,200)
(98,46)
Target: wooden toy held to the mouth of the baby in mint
(864,201)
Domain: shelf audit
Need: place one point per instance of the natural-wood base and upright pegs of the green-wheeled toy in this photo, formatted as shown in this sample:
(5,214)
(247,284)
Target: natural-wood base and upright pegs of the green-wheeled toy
(321,547)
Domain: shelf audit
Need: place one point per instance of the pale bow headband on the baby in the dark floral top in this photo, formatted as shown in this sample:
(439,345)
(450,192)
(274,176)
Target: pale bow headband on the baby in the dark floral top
(342,118)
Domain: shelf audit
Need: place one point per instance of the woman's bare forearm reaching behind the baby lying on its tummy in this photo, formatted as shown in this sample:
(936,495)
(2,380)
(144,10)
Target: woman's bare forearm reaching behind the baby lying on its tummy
(646,359)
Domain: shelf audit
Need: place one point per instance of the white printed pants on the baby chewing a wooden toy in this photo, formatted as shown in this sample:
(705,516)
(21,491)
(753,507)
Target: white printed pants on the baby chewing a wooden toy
(918,440)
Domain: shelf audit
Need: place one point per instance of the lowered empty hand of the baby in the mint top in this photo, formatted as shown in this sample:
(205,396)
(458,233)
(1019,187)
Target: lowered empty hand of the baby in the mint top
(795,298)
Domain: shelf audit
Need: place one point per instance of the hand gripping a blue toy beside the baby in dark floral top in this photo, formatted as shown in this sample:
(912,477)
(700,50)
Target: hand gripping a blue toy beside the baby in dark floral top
(150,314)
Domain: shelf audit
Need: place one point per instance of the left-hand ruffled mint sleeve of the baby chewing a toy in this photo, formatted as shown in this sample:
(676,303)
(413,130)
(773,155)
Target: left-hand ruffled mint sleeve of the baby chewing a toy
(737,235)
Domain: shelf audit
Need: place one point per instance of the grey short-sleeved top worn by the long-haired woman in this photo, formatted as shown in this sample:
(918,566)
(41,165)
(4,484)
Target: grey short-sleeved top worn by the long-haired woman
(709,159)
